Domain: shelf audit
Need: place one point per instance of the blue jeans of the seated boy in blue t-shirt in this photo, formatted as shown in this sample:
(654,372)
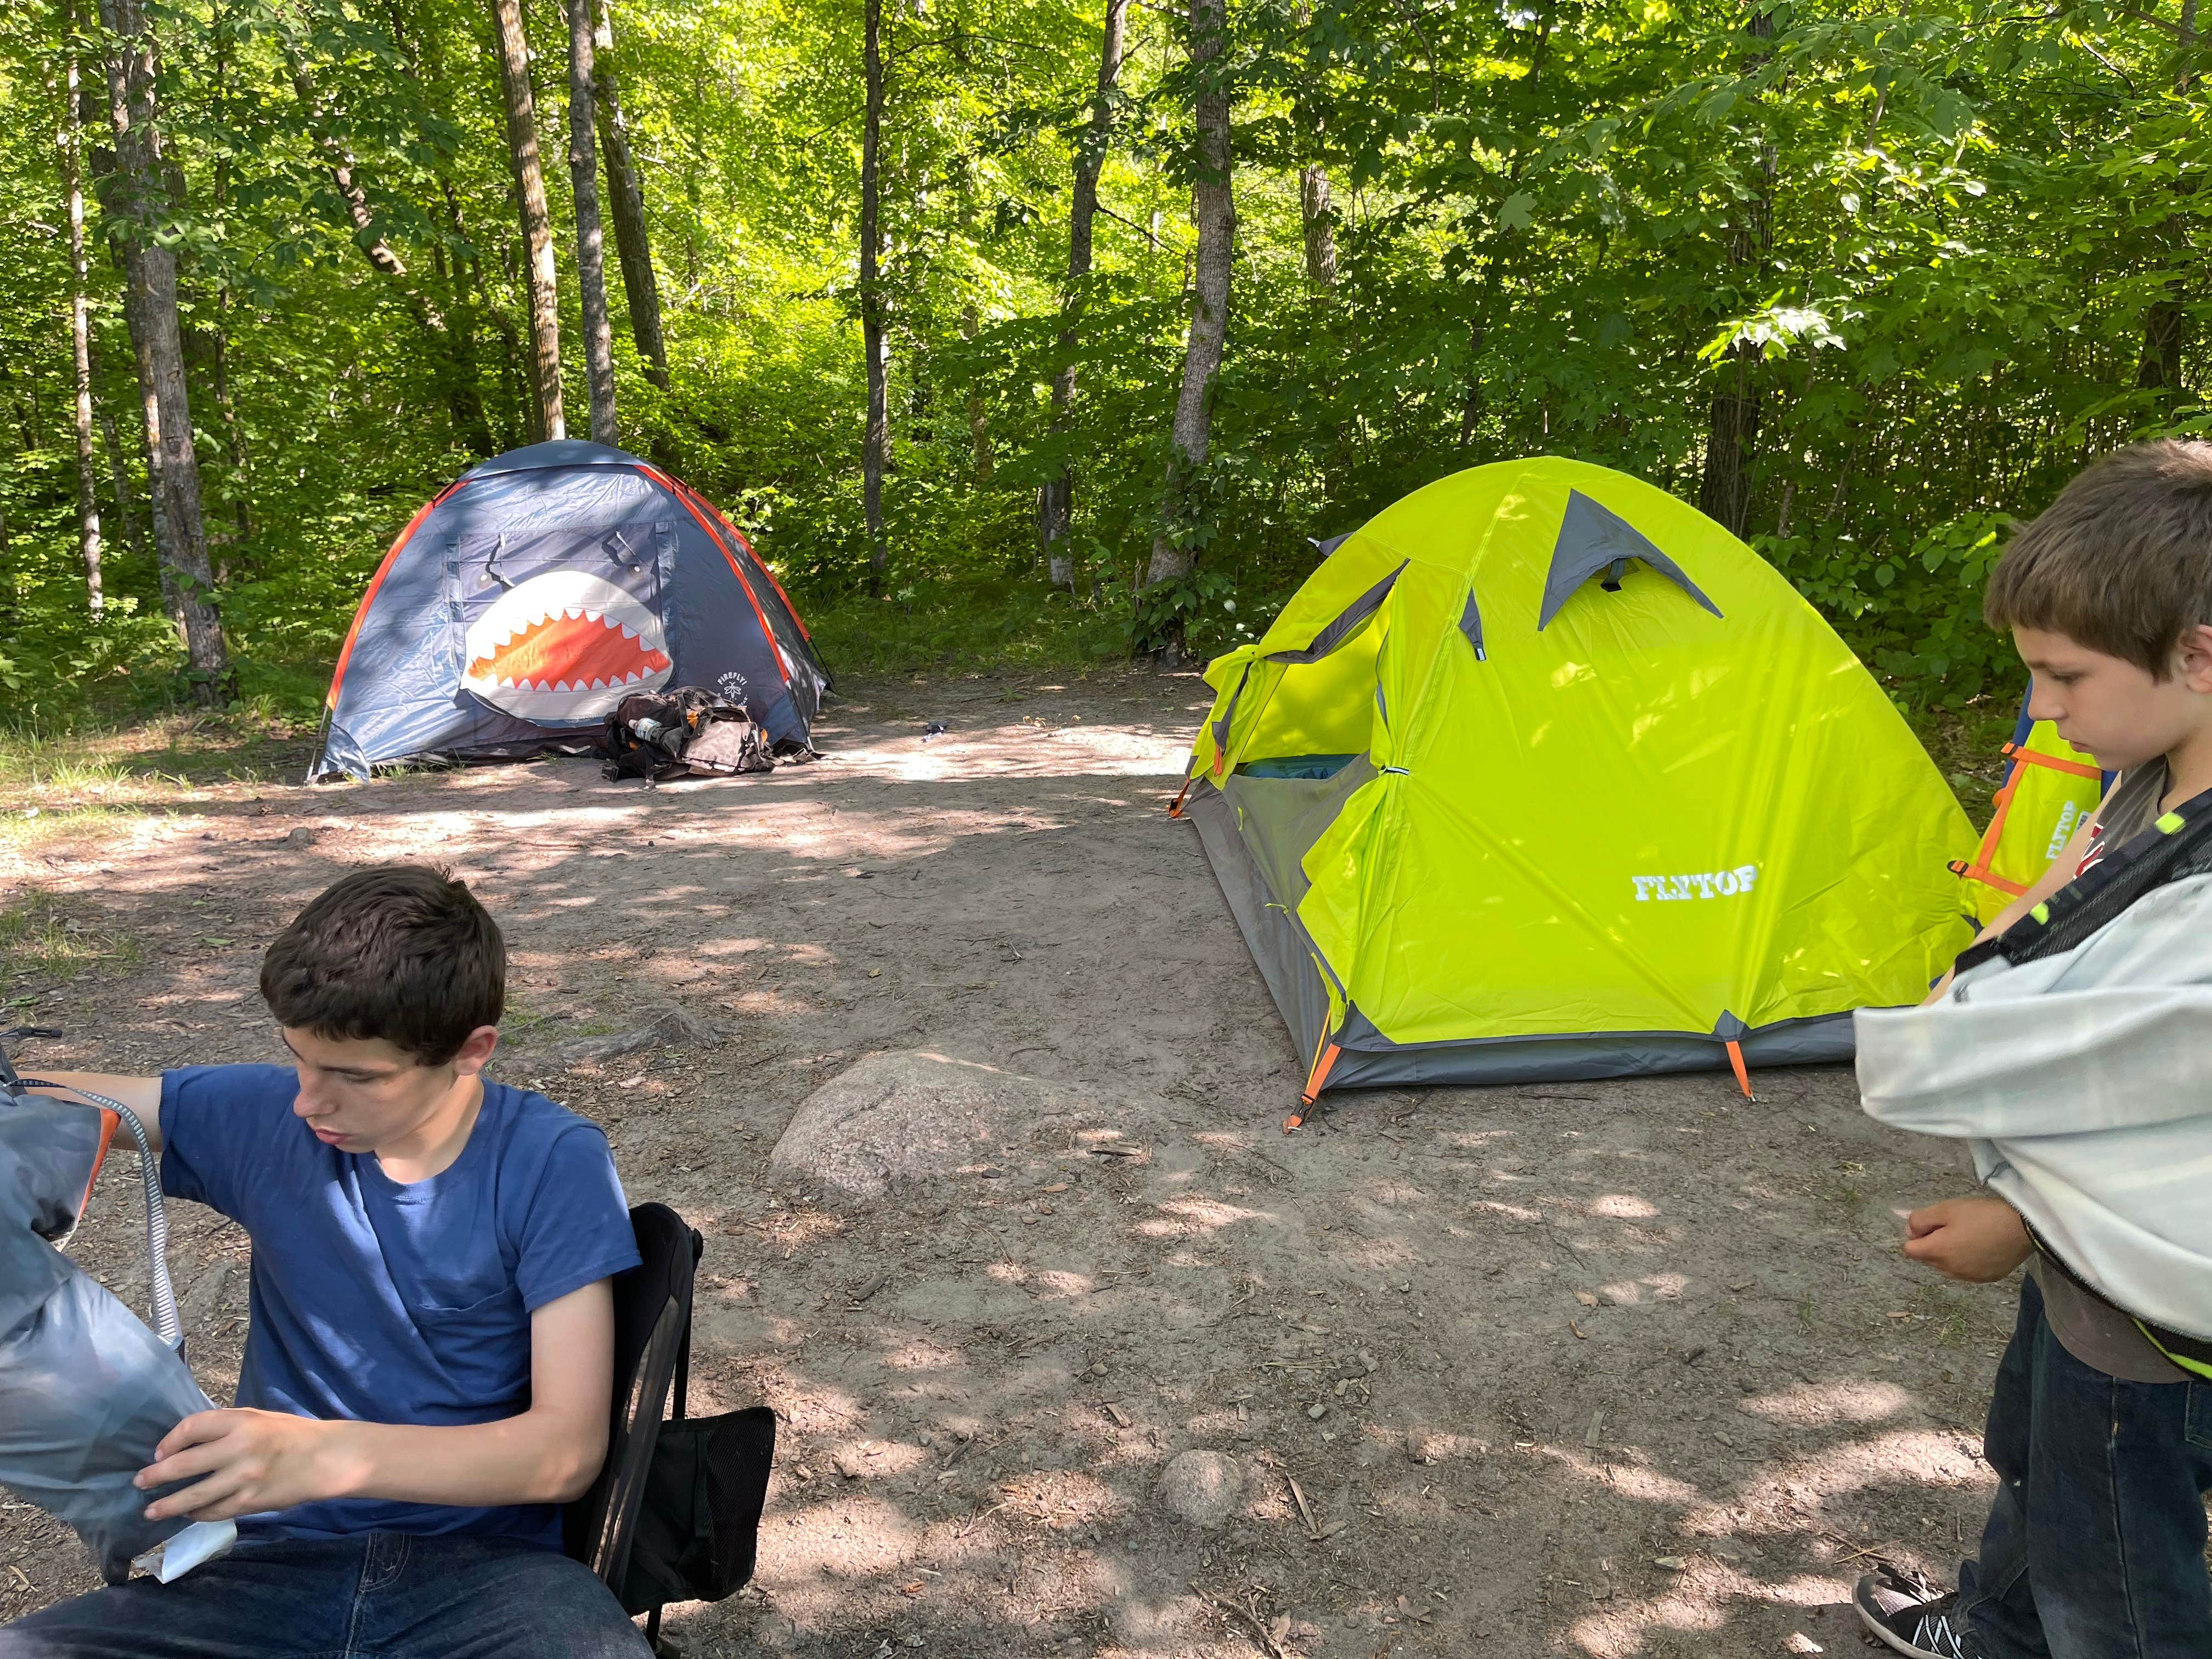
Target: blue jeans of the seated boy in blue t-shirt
(382,1596)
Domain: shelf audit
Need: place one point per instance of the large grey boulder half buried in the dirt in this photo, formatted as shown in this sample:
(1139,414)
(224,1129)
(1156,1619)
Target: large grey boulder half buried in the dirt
(919,1116)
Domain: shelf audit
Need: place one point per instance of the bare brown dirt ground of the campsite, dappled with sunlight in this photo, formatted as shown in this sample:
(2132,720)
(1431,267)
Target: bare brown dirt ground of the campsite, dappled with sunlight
(1623,1368)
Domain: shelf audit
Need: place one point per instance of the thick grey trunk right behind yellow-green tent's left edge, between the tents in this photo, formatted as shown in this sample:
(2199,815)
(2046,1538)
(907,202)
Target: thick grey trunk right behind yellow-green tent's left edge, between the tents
(1176,545)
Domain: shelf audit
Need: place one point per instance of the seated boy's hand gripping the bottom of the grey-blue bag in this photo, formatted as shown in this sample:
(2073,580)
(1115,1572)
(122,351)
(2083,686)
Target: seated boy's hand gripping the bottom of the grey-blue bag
(251,1463)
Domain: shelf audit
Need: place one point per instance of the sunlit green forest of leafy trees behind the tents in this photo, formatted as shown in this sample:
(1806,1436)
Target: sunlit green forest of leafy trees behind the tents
(1052,331)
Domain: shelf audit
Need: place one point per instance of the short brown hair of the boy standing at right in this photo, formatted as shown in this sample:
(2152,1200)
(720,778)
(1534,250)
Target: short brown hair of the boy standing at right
(2122,561)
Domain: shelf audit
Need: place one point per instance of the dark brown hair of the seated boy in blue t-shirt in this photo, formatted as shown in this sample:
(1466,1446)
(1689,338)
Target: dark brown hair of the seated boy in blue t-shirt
(397,952)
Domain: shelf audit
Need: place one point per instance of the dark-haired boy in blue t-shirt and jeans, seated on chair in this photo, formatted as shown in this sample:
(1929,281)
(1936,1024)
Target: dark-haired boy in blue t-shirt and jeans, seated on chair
(430,1355)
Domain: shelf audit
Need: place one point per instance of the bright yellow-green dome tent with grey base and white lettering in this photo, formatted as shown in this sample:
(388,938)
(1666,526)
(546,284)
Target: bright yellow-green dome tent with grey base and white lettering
(1545,775)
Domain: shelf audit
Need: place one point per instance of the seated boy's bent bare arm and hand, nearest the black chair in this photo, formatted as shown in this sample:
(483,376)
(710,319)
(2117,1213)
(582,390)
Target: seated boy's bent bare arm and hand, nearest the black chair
(260,1461)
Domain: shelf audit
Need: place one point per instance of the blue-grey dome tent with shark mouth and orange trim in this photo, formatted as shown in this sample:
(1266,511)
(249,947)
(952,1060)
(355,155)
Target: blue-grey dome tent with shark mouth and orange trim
(539,592)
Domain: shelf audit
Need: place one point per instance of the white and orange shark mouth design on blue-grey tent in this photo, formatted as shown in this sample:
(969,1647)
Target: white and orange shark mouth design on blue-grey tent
(565,647)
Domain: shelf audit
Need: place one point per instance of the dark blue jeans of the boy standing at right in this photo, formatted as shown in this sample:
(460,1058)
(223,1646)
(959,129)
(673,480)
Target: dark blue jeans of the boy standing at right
(2096,1547)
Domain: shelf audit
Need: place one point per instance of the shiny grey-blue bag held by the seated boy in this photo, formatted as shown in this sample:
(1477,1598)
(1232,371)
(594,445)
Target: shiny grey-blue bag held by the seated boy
(87,1390)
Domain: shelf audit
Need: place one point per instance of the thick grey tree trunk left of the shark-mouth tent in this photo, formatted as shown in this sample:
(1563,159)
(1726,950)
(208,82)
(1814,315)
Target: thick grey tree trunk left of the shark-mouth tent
(140,196)
